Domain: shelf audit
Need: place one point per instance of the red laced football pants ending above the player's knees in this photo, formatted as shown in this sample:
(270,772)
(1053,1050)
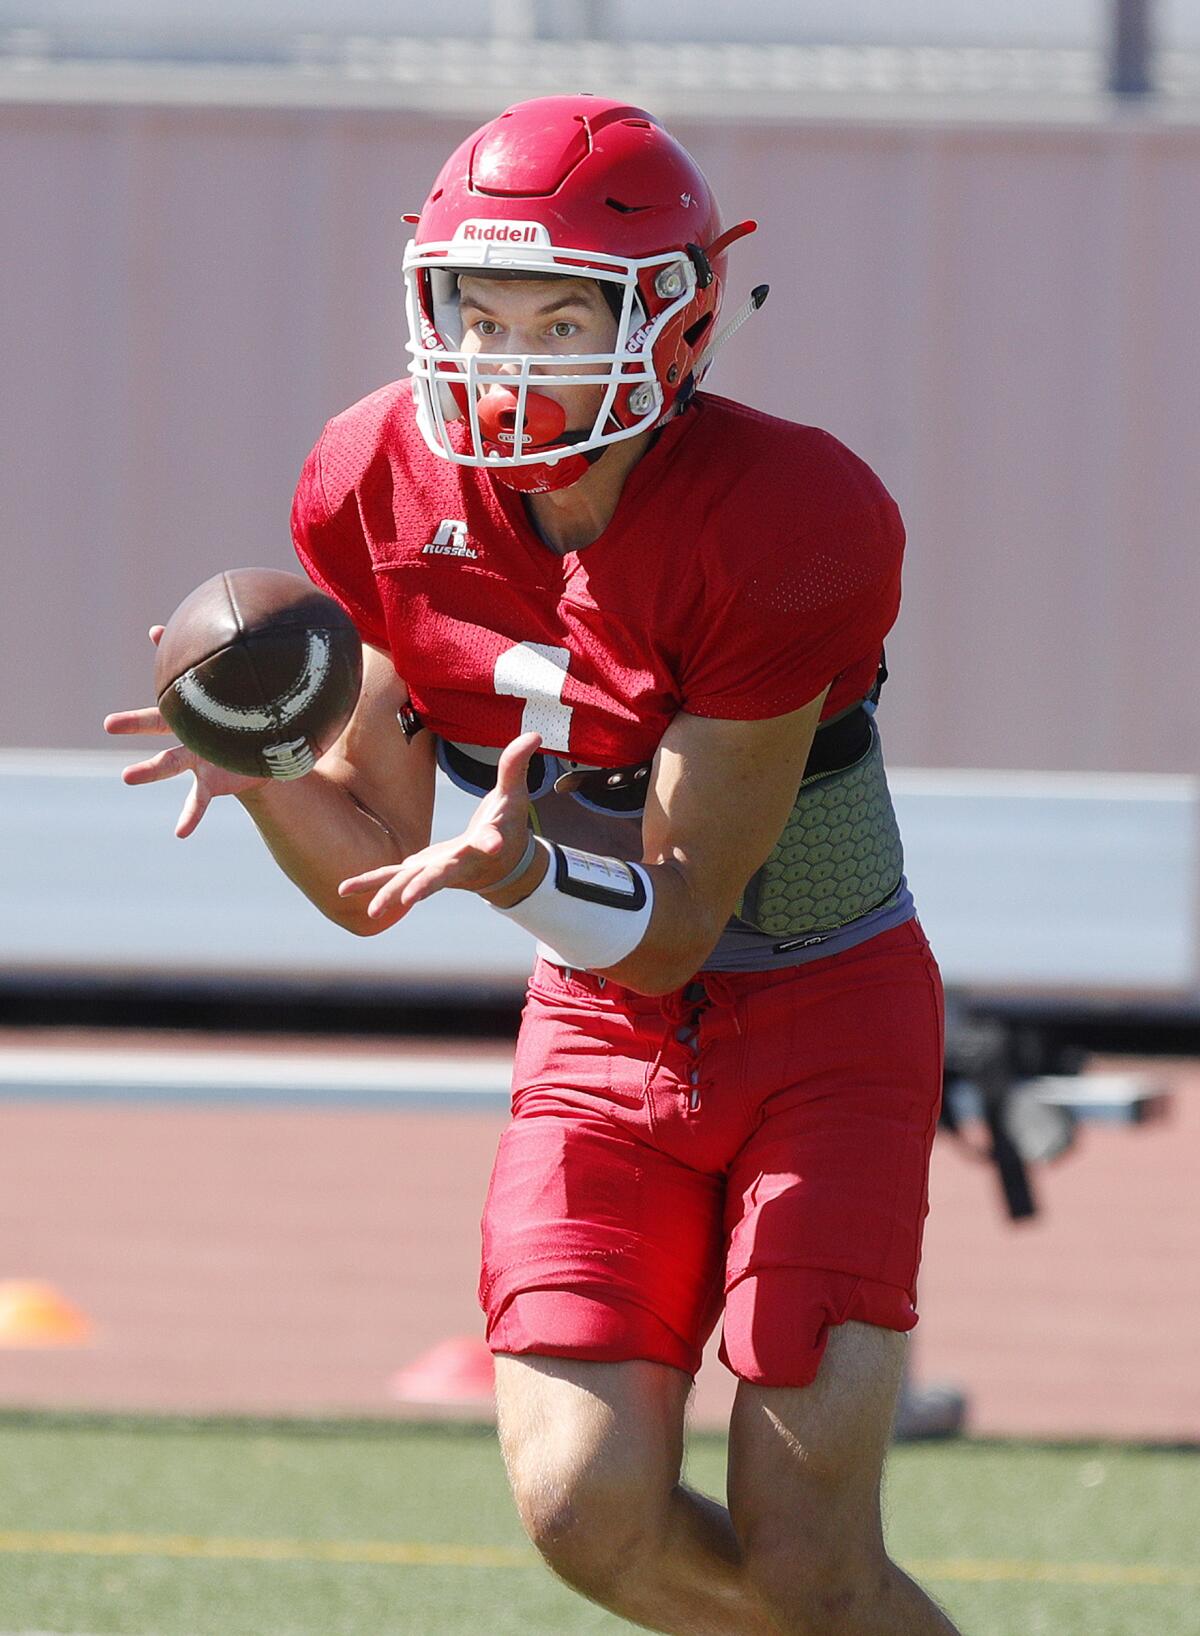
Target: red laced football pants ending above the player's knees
(756,1141)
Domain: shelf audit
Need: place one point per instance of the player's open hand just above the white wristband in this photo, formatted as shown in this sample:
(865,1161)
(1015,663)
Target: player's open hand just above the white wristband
(489,848)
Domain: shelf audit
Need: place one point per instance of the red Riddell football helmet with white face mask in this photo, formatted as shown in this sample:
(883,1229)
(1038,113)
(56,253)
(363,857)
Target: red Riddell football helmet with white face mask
(564,187)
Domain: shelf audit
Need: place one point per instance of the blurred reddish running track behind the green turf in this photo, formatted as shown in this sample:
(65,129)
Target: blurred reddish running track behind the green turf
(291,1261)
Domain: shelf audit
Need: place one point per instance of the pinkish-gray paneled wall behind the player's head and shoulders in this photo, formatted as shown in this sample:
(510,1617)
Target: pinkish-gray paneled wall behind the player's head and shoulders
(1001,317)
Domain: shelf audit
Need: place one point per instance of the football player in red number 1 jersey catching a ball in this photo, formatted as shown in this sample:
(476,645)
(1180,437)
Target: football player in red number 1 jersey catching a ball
(644,626)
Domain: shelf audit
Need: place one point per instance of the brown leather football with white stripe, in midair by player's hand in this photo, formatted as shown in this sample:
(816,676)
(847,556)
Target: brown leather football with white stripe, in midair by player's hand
(258,672)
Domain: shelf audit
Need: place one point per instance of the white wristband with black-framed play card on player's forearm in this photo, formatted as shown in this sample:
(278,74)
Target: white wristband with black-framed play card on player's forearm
(590,910)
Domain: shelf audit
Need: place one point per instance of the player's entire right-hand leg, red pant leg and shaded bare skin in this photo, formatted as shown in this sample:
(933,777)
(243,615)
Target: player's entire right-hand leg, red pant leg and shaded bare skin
(826,1208)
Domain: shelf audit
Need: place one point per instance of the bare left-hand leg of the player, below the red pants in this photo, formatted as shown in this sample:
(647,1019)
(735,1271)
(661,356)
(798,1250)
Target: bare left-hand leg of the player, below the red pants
(593,1454)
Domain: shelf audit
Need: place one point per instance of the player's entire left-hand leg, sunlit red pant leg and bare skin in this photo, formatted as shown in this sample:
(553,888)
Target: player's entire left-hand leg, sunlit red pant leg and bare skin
(602,1279)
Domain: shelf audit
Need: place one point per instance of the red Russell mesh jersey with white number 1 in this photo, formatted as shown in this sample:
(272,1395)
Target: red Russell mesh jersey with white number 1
(749,565)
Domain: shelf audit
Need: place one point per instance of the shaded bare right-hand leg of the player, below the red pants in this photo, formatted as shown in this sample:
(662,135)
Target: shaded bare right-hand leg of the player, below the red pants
(805,1472)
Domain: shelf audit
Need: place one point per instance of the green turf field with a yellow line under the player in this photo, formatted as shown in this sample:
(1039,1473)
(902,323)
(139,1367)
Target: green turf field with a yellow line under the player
(168,1529)
